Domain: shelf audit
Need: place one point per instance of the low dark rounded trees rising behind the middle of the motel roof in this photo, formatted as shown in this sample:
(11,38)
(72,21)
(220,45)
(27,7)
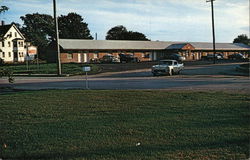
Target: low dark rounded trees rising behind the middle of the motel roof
(121,33)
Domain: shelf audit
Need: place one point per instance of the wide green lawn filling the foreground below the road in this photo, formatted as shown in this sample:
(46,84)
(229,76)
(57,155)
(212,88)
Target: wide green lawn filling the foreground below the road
(107,125)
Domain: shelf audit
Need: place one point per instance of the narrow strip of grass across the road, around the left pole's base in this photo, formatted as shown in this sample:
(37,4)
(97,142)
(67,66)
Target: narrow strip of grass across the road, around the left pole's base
(50,68)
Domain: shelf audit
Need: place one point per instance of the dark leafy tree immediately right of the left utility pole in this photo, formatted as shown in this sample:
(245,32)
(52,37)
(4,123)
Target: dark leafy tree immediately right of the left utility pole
(72,26)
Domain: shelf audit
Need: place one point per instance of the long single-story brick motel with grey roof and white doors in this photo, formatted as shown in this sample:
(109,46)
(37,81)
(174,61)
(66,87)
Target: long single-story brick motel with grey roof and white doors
(83,51)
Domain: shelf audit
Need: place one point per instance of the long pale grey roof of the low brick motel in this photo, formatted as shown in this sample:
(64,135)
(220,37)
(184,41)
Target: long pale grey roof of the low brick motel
(77,44)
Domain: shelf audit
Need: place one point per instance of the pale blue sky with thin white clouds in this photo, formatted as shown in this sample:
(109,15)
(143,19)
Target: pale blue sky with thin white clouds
(163,20)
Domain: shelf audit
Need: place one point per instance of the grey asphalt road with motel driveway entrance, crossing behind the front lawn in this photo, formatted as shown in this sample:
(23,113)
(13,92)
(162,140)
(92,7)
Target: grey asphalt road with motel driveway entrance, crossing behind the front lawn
(220,77)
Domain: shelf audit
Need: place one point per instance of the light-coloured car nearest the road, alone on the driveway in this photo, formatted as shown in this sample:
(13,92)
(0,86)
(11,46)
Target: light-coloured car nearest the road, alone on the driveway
(167,67)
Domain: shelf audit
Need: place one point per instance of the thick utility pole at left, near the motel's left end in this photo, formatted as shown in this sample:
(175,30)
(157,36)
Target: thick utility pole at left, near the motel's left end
(59,69)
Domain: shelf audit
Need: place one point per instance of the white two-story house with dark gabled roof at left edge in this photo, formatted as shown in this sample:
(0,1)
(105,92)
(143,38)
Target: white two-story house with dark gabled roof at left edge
(12,44)
